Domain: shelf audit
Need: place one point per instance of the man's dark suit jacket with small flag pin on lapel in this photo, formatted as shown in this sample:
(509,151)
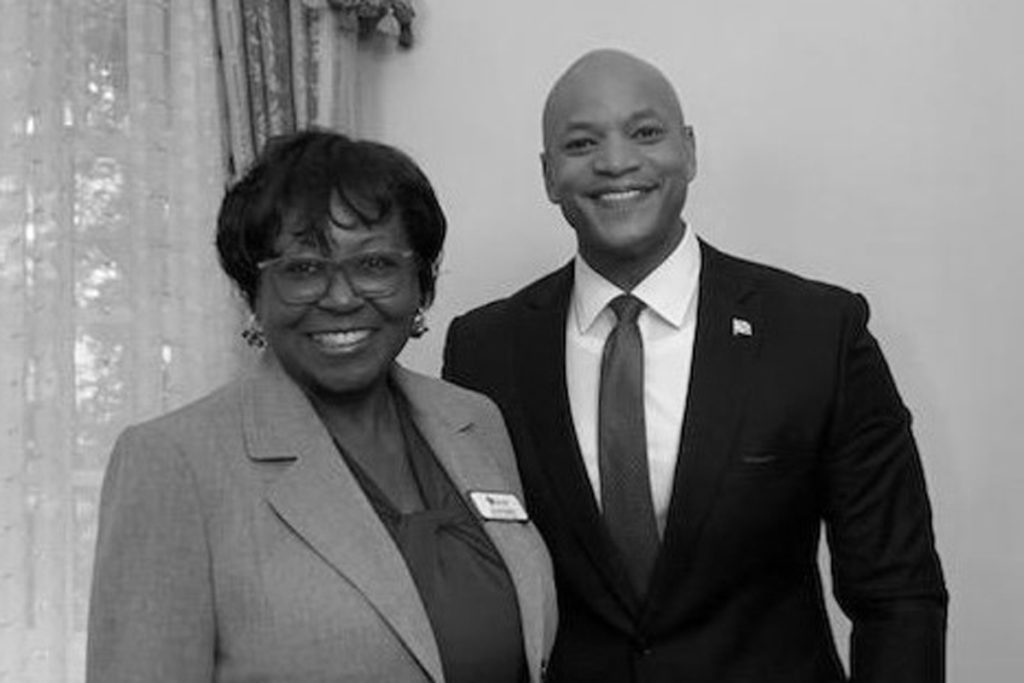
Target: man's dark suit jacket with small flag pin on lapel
(795,424)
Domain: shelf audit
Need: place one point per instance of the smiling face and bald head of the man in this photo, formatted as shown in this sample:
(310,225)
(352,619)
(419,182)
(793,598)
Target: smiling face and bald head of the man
(618,161)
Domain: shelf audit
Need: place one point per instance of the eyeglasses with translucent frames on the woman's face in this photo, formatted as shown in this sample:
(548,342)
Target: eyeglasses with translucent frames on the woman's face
(371,275)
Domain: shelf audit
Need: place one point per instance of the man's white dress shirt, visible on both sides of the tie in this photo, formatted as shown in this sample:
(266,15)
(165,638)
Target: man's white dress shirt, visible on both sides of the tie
(668,324)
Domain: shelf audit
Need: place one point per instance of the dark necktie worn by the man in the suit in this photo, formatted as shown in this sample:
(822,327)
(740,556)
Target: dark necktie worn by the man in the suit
(626,501)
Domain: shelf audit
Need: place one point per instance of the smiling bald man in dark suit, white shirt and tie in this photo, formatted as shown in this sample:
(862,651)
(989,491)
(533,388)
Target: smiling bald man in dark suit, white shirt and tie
(761,408)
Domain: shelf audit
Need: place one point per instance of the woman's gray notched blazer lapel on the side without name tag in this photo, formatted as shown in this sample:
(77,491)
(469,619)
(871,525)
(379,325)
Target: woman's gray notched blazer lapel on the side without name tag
(320,499)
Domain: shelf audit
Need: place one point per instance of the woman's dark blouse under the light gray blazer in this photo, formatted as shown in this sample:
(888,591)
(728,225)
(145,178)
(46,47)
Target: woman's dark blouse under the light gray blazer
(462,580)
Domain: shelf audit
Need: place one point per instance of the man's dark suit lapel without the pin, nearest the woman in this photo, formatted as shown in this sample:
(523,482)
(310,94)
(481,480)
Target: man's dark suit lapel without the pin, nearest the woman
(541,349)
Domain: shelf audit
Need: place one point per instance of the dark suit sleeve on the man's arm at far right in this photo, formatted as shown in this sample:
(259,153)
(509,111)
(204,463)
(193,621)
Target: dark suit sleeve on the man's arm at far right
(886,572)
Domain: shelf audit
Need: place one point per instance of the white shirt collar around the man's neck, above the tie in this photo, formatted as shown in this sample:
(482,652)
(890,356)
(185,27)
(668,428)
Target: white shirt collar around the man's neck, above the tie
(667,291)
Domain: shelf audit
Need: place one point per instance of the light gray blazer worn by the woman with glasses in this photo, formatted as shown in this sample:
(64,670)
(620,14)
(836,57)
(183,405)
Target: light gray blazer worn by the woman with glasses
(235,545)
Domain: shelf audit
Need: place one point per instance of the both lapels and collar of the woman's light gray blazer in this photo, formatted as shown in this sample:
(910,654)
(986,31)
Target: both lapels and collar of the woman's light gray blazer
(321,500)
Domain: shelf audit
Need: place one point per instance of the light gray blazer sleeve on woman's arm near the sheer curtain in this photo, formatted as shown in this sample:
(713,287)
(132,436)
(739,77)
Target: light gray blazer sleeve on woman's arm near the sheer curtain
(151,615)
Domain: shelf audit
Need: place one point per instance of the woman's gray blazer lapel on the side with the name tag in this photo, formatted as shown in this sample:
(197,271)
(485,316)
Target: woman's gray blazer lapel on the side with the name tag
(447,422)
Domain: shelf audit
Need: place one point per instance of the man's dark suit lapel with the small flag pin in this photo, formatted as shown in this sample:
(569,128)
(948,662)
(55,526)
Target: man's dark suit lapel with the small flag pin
(724,349)
